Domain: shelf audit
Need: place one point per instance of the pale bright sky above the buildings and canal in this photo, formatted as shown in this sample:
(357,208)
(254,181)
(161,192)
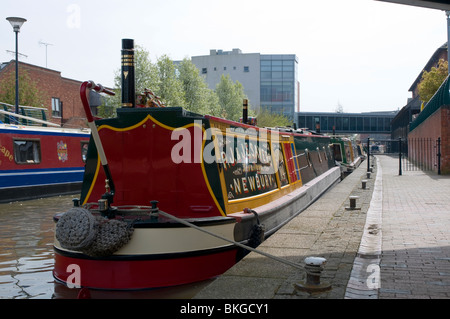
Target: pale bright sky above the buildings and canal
(363,55)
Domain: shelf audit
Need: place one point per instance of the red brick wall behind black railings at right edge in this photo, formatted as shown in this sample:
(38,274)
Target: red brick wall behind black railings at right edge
(437,125)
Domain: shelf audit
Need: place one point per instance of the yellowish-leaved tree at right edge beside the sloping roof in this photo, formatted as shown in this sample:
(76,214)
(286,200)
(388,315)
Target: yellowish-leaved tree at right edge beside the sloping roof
(432,80)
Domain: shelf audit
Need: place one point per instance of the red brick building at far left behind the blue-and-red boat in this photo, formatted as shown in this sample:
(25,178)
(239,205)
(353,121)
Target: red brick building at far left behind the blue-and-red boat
(61,95)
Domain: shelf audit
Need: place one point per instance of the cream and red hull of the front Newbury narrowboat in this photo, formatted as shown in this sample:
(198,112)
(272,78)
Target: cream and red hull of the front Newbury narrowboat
(160,256)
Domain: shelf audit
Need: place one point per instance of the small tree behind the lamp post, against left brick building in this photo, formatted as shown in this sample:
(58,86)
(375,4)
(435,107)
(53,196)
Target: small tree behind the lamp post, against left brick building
(29,94)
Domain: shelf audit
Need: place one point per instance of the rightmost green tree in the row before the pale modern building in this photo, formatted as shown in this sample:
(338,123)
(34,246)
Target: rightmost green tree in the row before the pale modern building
(231,96)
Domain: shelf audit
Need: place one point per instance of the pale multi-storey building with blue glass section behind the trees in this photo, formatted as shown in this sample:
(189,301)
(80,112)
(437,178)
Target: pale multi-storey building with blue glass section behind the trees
(269,81)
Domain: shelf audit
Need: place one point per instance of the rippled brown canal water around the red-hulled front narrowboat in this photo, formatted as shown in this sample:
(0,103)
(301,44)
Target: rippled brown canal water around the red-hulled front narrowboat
(26,256)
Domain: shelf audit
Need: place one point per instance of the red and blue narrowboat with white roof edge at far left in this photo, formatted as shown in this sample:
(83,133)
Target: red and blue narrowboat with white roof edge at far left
(39,161)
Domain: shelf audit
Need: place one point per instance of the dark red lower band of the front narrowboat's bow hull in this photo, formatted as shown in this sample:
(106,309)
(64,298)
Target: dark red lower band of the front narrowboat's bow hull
(134,272)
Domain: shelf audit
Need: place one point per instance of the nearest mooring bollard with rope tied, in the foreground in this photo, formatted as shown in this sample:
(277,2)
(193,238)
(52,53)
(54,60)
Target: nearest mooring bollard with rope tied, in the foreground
(313,268)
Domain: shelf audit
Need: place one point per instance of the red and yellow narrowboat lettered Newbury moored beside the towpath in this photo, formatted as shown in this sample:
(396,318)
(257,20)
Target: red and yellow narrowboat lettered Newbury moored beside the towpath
(169,196)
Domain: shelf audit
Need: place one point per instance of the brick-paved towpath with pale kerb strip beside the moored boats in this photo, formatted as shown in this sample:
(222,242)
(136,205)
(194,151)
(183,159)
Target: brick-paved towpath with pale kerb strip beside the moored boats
(395,244)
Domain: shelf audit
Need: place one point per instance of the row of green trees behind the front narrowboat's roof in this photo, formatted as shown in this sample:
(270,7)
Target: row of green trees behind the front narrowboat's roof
(182,86)
